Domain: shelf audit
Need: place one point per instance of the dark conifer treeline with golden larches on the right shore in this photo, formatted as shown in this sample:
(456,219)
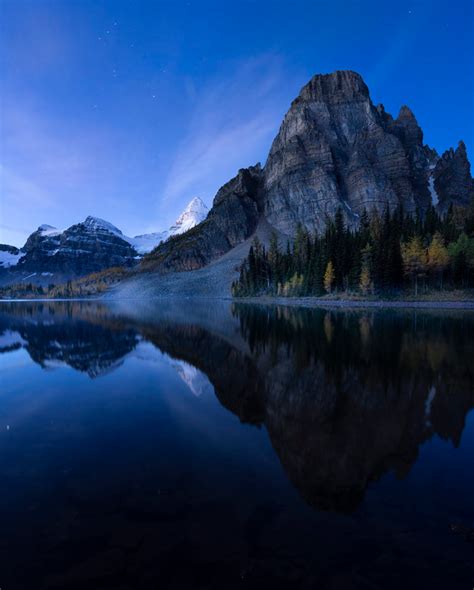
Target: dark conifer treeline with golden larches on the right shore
(386,253)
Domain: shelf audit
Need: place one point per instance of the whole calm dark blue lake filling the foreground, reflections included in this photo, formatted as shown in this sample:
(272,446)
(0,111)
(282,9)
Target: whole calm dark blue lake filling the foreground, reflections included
(203,445)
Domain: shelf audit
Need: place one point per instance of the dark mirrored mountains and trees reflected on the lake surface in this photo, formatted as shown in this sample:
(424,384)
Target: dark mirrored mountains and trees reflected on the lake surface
(344,396)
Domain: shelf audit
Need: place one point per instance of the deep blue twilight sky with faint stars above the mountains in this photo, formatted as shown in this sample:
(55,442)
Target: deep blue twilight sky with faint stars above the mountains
(128,109)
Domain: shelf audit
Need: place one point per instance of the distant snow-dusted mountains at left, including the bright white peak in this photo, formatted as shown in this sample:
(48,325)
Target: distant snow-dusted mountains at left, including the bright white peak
(52,254)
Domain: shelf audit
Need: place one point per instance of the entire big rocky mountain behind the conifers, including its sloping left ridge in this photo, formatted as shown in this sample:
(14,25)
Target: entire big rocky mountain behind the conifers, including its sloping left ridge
(335,149)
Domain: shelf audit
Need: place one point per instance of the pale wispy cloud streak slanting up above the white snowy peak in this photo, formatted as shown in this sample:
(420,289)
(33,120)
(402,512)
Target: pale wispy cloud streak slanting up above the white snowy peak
(233,122)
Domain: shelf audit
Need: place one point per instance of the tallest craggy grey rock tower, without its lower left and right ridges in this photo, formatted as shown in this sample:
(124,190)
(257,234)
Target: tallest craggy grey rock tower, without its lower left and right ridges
(336,149)
